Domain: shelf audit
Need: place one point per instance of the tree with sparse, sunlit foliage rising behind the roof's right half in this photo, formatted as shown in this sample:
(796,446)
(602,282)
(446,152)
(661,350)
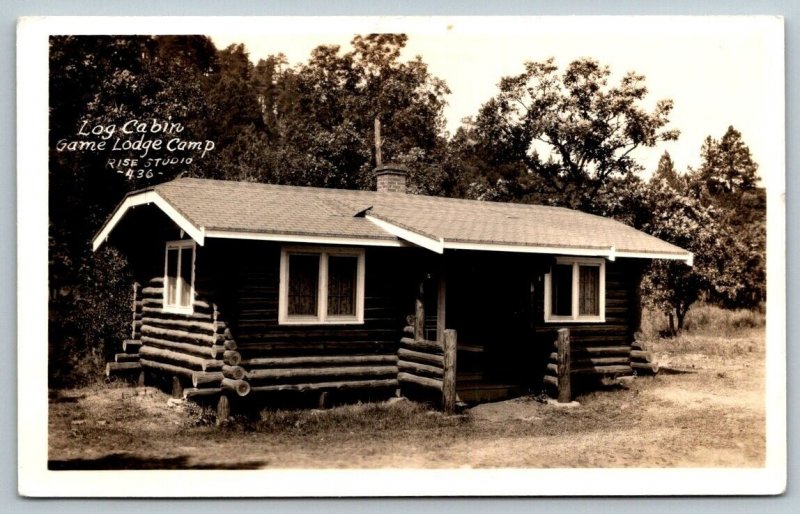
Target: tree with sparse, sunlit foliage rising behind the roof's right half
(573,131)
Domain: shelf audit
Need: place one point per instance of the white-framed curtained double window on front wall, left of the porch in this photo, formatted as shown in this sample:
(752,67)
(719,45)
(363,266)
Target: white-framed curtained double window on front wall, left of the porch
(321,285)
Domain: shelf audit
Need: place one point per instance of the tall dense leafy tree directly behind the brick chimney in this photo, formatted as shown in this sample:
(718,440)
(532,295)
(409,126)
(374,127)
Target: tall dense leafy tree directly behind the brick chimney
(325,112)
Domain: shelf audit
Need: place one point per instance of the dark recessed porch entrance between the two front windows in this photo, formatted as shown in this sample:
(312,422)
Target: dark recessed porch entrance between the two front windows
(486,300)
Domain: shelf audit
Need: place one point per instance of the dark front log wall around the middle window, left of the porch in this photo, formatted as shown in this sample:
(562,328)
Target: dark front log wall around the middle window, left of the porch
(244,278)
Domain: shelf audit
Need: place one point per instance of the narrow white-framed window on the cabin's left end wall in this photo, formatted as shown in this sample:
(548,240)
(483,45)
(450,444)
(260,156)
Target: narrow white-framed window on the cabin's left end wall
(179,276)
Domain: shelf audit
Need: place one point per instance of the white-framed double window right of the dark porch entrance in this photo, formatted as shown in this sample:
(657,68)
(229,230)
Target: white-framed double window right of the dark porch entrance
(574,290)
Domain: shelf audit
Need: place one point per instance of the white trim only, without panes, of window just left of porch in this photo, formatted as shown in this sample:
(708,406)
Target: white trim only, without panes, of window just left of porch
(322,294)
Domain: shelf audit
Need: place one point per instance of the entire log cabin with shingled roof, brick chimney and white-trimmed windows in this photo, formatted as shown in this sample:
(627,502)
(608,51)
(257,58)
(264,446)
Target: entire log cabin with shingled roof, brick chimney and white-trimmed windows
(255,290)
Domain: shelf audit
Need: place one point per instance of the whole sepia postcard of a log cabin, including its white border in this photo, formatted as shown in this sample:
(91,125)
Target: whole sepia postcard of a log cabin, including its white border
(504,254)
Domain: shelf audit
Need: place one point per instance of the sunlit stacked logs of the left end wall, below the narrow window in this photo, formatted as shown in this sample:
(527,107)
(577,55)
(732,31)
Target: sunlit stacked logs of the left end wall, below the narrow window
(195,348)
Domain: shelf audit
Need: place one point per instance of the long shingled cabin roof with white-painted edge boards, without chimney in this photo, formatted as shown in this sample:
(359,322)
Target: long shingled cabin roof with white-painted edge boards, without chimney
(240,210)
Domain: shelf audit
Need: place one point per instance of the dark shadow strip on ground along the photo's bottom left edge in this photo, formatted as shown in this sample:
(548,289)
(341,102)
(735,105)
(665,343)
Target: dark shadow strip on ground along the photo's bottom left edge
(129,461)
